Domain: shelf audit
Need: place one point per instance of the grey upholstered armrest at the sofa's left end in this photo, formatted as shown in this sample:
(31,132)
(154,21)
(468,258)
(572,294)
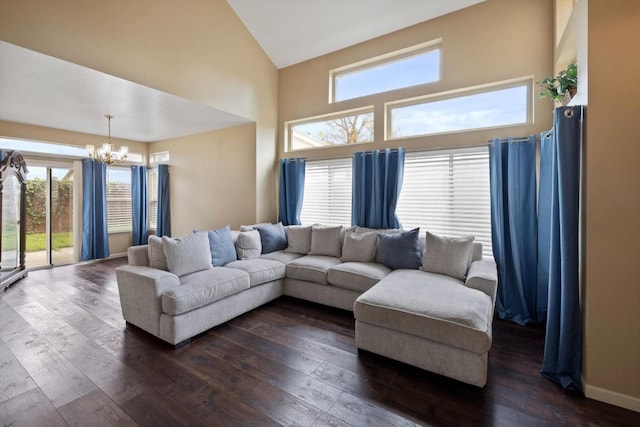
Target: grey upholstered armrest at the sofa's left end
(141,290)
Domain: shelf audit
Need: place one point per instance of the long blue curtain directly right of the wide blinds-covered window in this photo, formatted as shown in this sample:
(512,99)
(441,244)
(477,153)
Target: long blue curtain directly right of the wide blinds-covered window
(514,228)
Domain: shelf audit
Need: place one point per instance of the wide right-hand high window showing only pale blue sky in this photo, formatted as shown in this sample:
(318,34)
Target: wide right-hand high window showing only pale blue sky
(476,108)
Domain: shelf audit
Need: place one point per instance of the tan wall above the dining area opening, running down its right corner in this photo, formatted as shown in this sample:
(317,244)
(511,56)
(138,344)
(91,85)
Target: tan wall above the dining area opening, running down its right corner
(198,50)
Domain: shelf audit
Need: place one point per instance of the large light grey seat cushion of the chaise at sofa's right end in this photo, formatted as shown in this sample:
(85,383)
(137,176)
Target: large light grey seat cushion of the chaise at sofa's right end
(432,306)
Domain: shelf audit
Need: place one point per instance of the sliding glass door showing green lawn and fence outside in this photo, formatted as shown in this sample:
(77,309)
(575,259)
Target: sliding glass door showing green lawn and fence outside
(50,232)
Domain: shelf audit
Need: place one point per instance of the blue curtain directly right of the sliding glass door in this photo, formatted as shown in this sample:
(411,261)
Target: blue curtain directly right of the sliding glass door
(95,235)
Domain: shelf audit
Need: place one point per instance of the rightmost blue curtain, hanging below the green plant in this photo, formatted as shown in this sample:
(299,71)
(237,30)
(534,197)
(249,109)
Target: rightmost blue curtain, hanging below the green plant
(559,217)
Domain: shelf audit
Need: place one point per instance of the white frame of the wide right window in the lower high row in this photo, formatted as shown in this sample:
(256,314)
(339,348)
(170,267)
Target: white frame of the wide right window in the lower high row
(458,93)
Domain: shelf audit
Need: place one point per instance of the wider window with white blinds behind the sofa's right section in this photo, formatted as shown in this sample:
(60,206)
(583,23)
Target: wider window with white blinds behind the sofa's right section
(447,193)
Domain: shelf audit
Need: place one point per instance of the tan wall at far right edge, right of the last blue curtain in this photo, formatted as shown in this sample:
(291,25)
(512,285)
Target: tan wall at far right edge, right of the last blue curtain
(612,333)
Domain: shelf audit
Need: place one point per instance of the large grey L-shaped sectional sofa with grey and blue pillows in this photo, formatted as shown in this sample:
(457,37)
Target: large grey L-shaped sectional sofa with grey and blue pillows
(425,300)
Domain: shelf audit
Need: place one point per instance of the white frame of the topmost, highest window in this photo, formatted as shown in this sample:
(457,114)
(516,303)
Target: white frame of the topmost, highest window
(386,58)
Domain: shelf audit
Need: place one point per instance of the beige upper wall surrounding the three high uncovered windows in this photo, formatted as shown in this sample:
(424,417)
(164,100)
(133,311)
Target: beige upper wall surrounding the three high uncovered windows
(485,43)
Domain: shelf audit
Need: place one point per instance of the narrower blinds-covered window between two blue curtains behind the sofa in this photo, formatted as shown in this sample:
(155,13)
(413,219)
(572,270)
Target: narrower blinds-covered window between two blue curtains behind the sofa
(327,192)
